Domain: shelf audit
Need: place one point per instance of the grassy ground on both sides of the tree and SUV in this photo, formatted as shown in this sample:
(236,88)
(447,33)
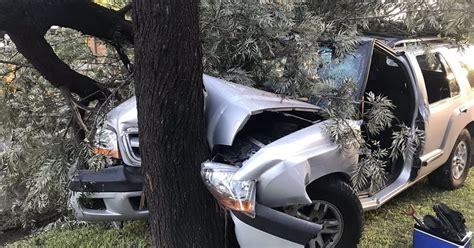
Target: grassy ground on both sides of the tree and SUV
(386,227)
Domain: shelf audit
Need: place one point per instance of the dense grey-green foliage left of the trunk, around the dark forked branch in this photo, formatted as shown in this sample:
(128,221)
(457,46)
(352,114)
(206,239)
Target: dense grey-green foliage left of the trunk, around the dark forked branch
(41,134)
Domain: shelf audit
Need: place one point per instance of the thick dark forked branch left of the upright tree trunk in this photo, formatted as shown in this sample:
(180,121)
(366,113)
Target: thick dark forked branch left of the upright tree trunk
(26,21)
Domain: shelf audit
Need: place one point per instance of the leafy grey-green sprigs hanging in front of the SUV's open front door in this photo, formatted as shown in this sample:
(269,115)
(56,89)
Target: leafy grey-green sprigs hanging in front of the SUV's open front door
(369,174)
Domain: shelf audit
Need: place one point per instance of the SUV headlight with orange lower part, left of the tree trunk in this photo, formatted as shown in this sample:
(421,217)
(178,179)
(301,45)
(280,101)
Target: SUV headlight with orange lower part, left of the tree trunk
(106,143)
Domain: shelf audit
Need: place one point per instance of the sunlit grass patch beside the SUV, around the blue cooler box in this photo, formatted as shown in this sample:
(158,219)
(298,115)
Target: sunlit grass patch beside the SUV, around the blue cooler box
(388,227)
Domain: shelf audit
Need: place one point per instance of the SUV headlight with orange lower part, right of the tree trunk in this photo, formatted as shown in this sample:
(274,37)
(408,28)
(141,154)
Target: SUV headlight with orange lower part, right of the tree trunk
(232,194)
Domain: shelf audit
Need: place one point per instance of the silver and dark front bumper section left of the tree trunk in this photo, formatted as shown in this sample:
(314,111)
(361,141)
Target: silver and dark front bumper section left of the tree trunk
(111,194)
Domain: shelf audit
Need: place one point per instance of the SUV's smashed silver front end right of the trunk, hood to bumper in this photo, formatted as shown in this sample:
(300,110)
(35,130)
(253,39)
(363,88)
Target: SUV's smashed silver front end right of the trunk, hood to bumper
(266,151)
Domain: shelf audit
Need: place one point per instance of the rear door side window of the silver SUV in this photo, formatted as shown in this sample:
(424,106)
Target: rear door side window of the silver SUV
(439,78)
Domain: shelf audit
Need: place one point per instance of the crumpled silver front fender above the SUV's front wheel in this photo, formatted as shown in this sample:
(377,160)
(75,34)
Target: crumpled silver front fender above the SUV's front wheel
(285,167)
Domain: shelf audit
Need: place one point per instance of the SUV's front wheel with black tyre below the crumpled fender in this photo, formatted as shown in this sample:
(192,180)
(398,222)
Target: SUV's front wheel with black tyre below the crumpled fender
(337,208)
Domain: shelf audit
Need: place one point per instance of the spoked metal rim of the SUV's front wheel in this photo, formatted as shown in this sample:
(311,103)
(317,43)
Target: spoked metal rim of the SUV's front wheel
(323,213)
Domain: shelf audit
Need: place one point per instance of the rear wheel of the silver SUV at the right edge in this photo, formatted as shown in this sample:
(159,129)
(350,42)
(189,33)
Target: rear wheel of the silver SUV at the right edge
(453,173)
